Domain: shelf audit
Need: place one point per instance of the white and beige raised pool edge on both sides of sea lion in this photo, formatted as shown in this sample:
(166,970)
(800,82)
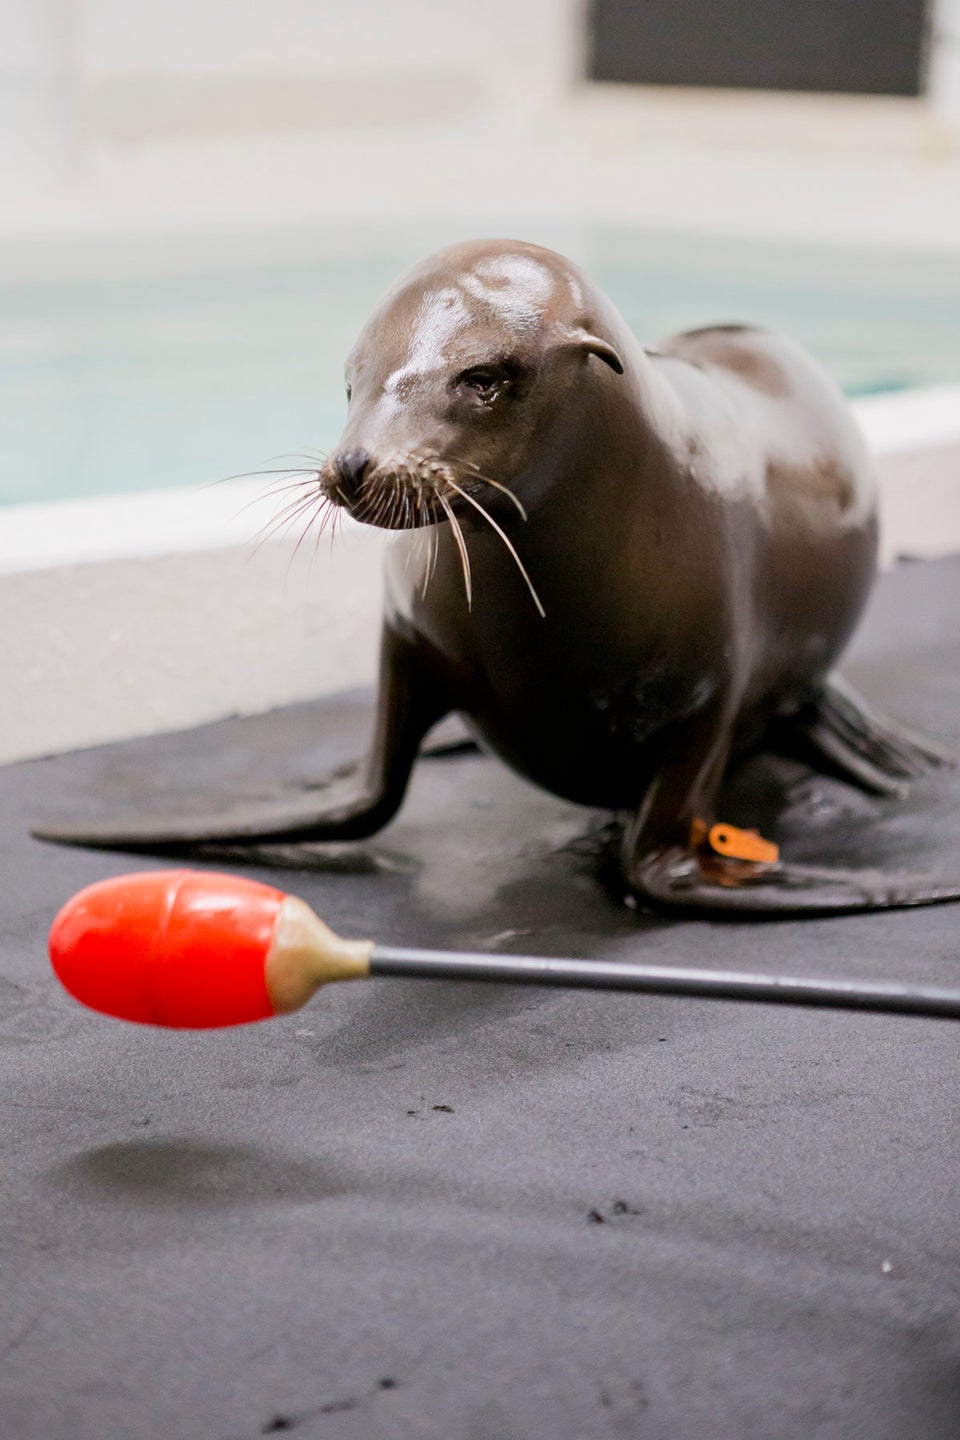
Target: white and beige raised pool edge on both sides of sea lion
(135,614)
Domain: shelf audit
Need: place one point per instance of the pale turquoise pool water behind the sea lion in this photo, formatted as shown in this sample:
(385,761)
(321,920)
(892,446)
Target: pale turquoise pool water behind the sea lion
(139,374)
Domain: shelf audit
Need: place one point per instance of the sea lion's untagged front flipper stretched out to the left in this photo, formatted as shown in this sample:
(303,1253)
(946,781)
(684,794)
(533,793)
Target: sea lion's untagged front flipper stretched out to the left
(355,803)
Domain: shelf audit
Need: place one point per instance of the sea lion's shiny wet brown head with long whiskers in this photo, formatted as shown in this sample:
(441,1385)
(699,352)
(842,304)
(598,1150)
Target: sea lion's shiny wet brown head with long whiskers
(468,359)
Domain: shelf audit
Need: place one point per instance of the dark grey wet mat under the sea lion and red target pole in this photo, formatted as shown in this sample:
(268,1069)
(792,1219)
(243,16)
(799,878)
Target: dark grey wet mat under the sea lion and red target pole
(421,1210)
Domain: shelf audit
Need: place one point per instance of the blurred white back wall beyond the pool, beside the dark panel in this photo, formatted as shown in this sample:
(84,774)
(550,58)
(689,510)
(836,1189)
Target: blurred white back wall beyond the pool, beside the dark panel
(77,76)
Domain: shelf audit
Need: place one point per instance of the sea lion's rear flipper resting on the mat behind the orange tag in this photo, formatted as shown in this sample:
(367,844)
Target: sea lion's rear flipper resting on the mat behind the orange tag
(863,745)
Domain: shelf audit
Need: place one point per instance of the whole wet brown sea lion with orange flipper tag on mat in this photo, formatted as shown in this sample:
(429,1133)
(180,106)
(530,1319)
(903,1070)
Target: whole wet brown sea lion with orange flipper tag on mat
(620,565)
